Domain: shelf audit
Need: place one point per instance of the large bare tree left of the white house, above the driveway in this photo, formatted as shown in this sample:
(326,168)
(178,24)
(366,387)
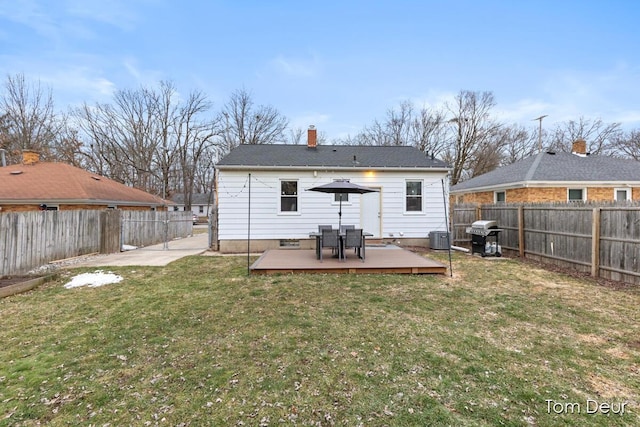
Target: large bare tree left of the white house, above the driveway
(148,138)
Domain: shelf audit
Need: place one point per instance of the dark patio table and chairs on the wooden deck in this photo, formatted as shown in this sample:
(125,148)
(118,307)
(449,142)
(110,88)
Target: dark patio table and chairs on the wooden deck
(339,240)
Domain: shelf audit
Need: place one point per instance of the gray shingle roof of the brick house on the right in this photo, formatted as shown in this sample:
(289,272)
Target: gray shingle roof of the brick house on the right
(556,168)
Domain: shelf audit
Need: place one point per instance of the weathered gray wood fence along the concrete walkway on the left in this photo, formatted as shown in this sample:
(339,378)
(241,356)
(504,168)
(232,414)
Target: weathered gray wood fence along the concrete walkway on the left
(31,239)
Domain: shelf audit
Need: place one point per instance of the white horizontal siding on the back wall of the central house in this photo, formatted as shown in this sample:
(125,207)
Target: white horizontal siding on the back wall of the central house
(318,208)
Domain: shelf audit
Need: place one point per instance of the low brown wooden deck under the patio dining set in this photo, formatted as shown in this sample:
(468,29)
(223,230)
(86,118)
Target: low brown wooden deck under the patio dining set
(378,261)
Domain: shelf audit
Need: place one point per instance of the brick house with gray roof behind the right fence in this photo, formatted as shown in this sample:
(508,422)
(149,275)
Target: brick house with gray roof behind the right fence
(555,177)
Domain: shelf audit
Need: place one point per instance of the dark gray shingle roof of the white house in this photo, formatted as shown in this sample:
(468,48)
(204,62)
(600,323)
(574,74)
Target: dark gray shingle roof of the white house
(279,155)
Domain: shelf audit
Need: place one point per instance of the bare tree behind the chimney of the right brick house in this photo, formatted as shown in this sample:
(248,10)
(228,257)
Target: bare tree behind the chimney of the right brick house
(599,136)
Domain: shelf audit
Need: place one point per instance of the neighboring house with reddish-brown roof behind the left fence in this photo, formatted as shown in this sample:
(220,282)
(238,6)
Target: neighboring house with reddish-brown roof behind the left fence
(34,185)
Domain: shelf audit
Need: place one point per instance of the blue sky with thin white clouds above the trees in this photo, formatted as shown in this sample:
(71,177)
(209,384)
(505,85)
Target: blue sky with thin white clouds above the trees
(338,64)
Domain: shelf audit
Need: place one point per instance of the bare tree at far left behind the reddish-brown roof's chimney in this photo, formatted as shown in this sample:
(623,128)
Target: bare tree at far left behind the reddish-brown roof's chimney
(29,119)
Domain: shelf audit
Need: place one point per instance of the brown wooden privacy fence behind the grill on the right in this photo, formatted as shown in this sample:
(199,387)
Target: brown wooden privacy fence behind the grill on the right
(603,240)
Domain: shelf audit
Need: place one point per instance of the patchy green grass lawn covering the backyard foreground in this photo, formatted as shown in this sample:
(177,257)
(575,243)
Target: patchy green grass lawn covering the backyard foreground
(200,343)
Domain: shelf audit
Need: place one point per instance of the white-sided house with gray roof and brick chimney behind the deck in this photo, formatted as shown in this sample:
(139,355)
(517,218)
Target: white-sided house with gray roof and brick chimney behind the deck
(263,193)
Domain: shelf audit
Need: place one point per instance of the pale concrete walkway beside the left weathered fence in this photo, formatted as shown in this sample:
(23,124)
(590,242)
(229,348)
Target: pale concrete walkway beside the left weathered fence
(155,255)
